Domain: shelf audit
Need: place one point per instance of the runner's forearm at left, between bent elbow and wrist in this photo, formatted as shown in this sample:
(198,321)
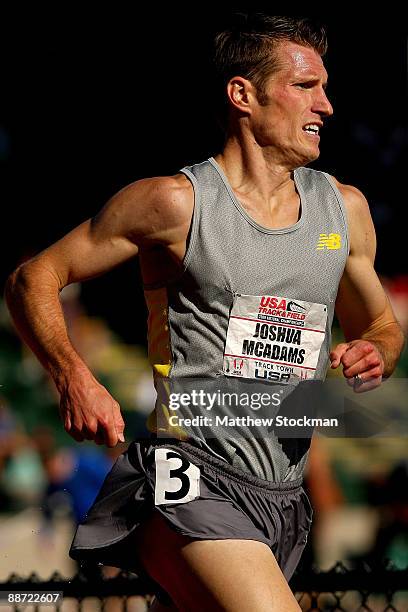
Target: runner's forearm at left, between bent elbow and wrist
(32,295)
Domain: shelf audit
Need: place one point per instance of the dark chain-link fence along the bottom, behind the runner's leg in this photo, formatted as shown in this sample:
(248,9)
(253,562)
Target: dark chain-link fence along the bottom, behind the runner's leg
(347,588)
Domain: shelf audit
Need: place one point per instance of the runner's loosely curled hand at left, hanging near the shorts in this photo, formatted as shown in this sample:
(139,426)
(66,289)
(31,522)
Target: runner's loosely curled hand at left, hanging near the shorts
(89,412)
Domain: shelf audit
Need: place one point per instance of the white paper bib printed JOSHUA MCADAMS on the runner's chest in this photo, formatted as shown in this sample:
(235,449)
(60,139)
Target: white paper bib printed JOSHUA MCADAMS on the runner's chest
(274,338)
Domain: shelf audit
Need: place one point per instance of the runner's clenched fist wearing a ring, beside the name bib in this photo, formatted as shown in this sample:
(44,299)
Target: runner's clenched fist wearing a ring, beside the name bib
(361,359)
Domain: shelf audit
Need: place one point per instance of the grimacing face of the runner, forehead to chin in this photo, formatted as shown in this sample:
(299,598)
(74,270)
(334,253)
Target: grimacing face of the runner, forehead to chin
(289,120)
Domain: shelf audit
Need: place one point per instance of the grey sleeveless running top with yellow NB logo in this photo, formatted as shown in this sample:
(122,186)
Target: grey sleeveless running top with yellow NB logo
(250,303)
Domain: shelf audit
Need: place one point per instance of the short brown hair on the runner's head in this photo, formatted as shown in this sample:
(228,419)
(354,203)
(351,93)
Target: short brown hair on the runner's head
(246,46)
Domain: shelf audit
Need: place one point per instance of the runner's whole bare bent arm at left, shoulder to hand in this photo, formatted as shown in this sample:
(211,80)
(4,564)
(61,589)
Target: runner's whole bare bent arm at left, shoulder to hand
(147,213)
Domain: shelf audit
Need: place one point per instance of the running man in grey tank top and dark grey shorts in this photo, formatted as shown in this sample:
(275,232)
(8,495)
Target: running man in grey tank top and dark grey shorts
(220,523)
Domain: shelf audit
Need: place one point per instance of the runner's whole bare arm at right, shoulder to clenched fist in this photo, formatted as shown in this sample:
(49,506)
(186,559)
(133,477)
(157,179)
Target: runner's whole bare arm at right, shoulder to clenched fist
(374,339)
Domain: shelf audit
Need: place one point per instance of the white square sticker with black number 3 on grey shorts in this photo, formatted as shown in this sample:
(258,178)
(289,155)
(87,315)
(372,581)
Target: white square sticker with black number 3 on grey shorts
(177,480)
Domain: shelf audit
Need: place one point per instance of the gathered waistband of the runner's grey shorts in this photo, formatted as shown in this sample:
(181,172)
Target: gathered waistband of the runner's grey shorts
(227,469)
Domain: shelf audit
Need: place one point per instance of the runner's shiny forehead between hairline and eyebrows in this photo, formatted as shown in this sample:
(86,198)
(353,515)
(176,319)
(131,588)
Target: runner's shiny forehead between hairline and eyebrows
(298,60)
